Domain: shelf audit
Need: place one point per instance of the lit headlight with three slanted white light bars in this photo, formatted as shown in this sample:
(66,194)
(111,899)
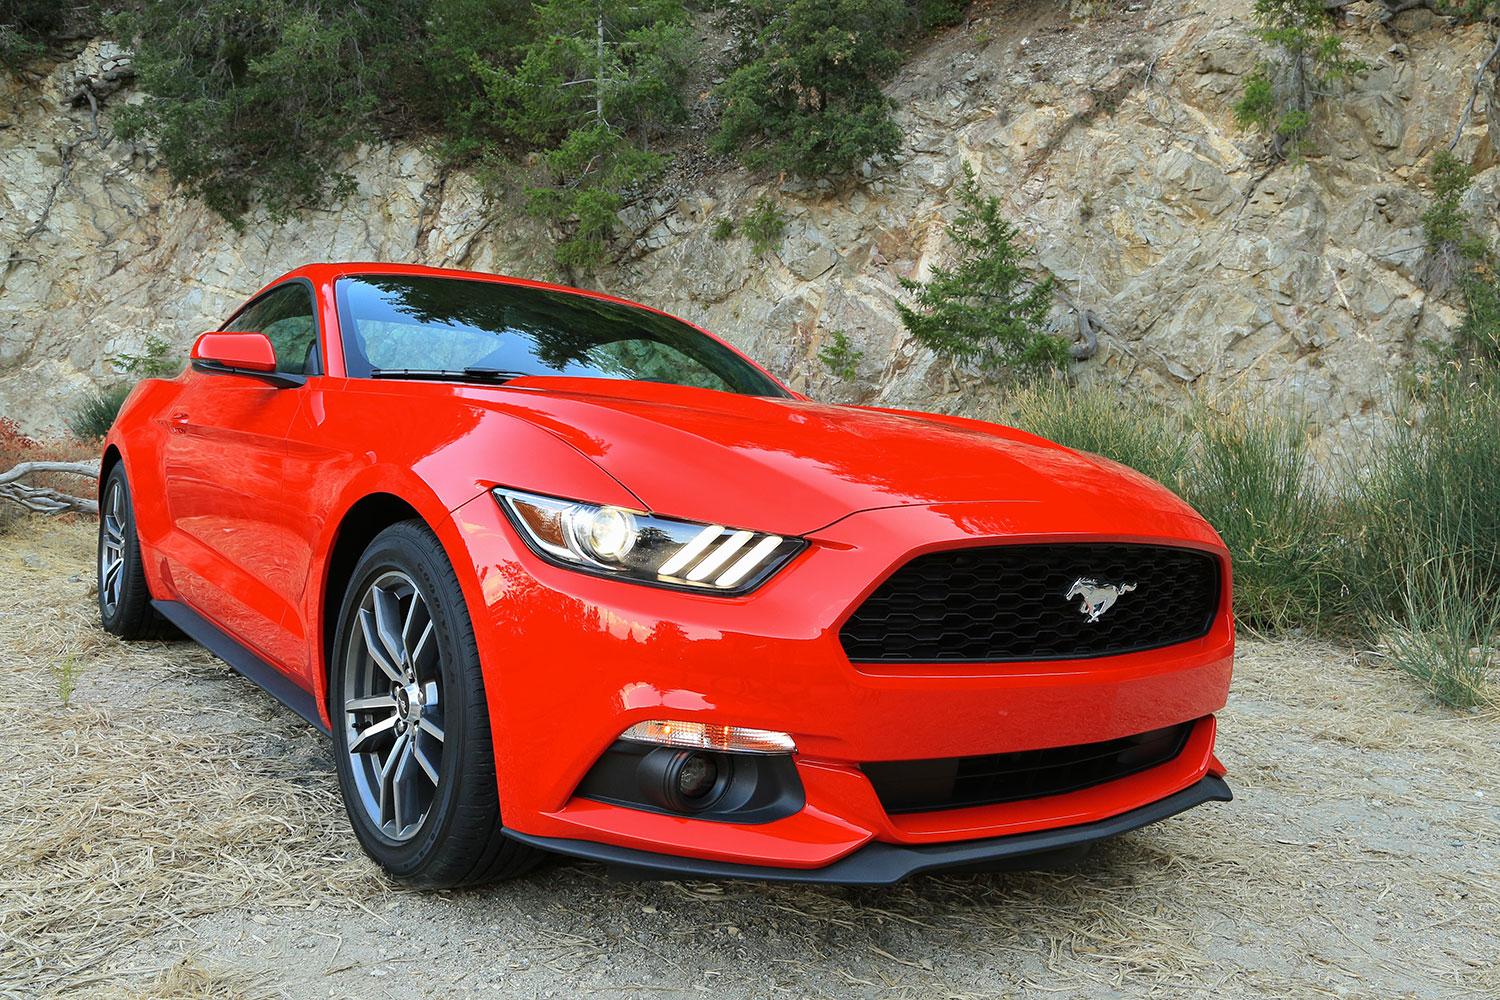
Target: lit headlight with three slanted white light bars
(637,546)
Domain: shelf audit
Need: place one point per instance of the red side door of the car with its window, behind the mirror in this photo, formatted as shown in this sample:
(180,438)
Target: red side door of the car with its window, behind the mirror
(226,461)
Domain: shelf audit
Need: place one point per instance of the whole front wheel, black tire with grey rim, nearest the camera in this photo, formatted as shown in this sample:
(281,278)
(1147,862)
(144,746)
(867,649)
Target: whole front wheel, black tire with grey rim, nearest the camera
(457,840)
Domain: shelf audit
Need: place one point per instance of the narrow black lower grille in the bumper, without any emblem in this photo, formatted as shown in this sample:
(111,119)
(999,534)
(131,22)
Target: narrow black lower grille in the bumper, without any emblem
(952,783)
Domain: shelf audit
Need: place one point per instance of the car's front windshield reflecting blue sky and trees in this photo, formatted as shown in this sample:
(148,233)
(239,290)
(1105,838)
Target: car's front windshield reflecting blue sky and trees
(467,329)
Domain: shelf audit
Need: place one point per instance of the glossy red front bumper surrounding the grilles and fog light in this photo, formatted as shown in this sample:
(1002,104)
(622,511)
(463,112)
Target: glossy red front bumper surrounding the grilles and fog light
(571,662)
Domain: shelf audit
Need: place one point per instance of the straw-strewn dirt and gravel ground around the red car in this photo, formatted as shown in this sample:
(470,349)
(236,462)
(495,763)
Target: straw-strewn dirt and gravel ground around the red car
(169,831)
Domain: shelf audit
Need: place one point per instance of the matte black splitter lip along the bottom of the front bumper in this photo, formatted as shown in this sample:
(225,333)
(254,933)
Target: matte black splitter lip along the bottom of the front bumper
(880,864)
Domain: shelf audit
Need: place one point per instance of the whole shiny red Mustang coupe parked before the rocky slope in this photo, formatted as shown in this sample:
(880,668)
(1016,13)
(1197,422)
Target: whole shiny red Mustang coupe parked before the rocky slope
(562,573)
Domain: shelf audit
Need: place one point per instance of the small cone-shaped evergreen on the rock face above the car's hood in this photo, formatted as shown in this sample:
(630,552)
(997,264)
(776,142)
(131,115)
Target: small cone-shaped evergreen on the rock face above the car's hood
(986,310)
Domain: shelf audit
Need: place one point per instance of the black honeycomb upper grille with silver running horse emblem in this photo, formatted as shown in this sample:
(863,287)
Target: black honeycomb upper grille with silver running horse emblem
(1010,603)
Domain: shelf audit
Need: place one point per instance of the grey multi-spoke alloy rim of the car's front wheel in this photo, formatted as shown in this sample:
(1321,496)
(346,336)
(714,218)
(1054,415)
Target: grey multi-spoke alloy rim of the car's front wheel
(394,705)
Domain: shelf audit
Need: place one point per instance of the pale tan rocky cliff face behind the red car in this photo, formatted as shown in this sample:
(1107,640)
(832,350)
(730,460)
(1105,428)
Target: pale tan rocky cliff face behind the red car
(1111,142)
